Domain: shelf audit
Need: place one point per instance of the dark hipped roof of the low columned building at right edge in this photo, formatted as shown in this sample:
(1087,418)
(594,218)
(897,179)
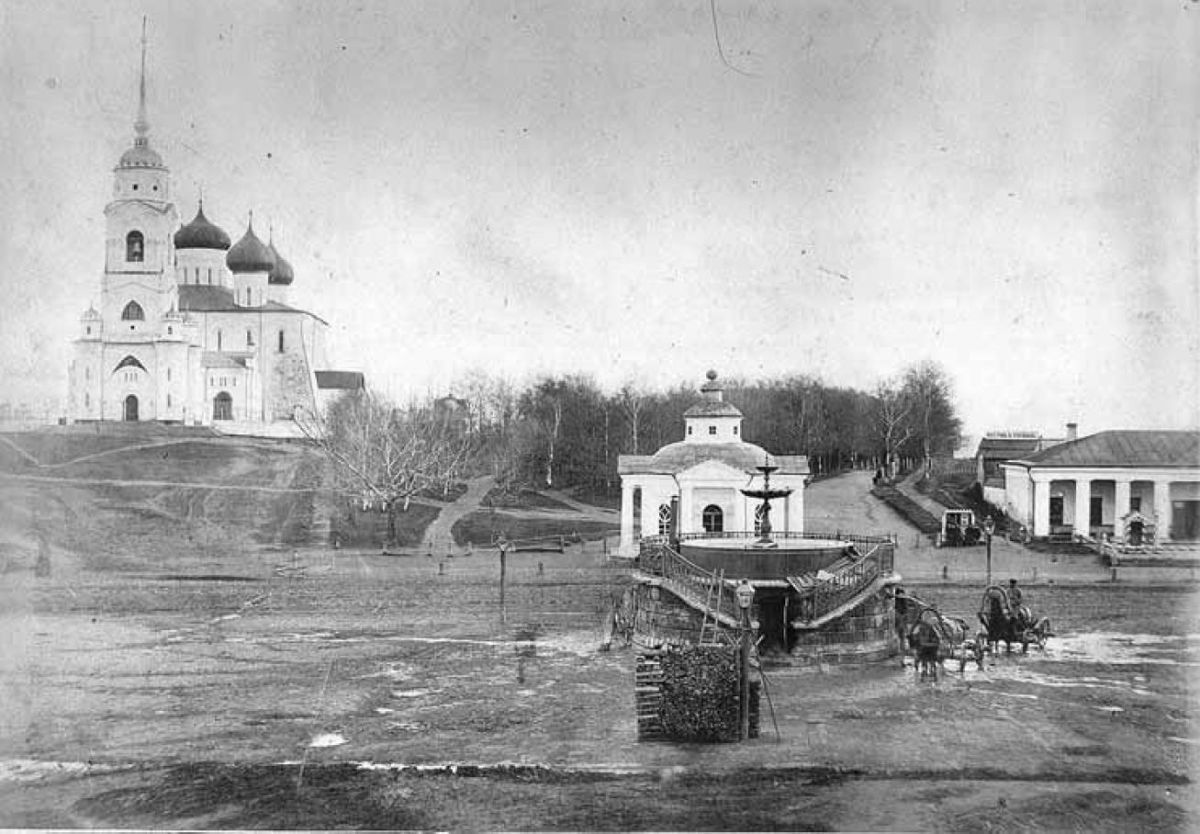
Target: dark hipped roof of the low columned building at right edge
(1124,448)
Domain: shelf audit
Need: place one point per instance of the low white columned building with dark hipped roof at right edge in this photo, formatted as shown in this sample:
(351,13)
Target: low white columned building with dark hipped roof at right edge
(1120,484)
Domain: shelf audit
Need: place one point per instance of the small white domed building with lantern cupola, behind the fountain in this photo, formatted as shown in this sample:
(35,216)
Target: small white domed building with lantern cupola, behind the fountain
(701,479)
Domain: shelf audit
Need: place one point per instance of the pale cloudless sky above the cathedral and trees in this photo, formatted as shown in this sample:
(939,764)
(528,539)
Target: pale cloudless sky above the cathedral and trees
(1007,189)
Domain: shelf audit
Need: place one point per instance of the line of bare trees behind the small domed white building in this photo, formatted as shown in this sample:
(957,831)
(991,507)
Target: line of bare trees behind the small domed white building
(566,431)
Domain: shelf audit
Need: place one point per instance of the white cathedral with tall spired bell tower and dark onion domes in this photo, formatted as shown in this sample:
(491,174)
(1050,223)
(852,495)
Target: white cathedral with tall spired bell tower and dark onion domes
(190,329)
